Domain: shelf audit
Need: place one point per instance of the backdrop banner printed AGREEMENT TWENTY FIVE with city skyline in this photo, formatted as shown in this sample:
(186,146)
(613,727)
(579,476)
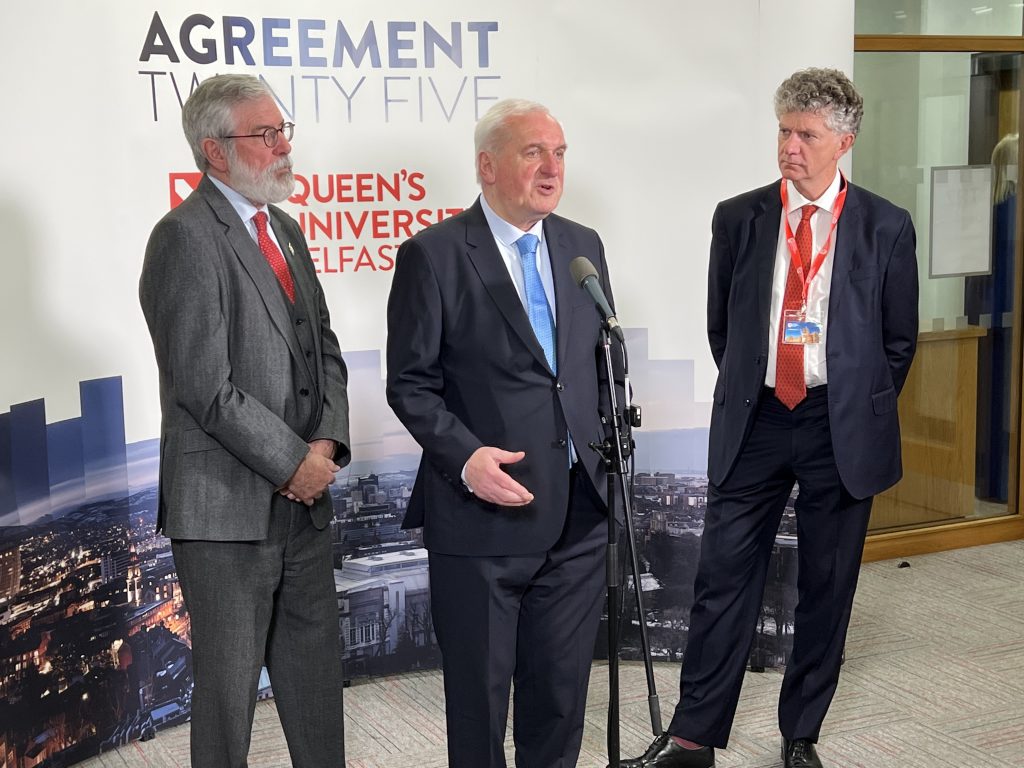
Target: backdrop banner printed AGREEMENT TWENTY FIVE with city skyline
(667,108)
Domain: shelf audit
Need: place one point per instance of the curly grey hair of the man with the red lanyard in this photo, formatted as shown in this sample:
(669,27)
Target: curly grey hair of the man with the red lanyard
(828,93)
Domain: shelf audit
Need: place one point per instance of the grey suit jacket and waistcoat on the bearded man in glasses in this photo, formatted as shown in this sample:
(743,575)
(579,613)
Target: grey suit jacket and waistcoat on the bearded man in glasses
(239,396)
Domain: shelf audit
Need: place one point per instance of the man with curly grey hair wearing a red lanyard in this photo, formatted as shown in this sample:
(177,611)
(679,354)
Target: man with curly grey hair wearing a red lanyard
(813,319)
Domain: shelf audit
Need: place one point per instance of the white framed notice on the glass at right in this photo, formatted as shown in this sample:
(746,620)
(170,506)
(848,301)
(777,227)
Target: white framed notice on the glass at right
(962,222)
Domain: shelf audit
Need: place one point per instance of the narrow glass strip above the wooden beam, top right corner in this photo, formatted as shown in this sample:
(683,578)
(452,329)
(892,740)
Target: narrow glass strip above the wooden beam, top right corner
(938,18)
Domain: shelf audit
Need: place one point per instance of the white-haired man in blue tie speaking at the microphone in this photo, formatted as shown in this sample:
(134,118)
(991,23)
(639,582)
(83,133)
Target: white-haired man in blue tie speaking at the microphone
(492,367)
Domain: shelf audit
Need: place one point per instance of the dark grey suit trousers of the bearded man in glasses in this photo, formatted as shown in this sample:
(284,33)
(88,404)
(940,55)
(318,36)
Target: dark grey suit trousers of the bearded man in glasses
(269,602)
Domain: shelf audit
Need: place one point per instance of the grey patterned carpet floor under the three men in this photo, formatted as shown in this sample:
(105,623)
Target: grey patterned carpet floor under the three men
(934,677)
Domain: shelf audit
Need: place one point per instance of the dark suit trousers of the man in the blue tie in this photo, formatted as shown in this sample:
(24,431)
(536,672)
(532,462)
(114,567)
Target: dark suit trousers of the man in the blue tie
(529,618)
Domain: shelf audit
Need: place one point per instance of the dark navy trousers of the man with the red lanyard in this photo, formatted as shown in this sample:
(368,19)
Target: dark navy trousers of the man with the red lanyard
(741,525)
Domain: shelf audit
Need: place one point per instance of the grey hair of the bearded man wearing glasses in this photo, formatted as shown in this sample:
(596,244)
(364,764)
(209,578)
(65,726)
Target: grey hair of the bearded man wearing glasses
(209,111)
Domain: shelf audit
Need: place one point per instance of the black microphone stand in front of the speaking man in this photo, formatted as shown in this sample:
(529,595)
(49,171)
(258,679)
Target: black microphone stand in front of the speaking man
(615,451)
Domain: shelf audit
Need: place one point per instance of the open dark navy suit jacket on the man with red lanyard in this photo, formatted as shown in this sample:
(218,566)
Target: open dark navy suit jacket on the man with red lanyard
(871,336)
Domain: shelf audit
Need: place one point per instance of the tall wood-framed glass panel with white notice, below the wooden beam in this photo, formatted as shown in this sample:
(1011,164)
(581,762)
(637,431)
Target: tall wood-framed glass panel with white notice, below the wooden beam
(941,139)
